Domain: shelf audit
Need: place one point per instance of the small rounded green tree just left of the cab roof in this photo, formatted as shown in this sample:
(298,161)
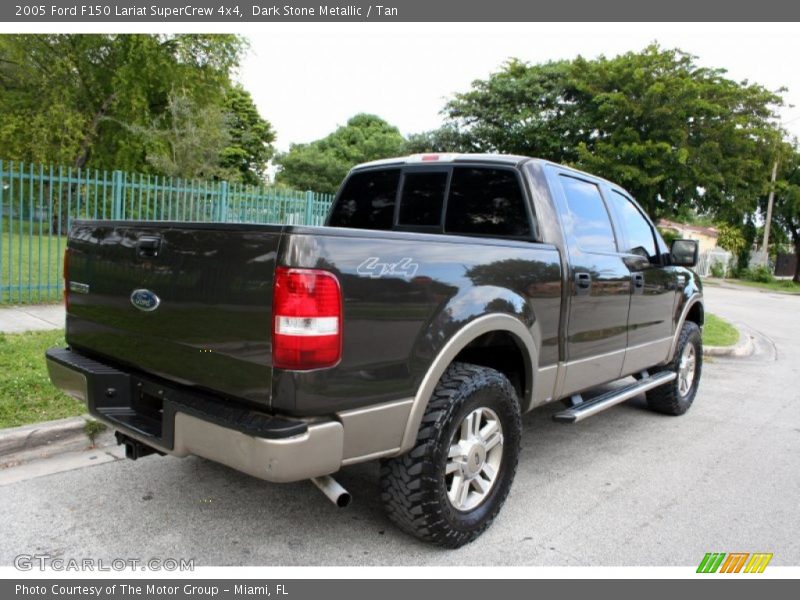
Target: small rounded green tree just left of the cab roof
(322,164)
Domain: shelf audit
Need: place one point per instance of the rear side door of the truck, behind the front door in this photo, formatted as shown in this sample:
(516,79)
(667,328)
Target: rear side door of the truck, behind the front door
(599,284)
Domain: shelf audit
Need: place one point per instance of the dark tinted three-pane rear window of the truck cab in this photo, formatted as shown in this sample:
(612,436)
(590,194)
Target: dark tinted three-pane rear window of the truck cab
(474,200)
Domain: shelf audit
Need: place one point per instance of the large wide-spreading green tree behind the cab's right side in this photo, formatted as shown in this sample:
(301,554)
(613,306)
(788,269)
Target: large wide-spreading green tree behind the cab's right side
(673,133)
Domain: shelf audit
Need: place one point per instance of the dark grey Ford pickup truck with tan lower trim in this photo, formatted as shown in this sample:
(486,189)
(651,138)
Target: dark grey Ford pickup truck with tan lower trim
(447,296)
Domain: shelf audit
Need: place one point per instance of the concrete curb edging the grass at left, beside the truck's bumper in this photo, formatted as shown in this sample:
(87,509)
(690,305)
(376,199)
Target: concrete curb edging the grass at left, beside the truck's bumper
(39,436)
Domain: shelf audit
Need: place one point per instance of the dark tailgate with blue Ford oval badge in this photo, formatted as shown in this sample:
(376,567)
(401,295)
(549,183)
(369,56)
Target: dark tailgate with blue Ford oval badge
(188,302)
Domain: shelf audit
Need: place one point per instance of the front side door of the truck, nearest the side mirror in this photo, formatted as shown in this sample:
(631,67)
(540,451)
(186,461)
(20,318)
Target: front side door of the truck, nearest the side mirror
(654,288)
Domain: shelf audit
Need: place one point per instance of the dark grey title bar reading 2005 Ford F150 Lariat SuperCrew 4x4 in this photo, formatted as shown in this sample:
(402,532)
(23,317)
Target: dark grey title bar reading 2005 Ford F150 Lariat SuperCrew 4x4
(208,11)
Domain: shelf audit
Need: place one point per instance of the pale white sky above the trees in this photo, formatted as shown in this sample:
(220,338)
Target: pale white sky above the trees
(309,78)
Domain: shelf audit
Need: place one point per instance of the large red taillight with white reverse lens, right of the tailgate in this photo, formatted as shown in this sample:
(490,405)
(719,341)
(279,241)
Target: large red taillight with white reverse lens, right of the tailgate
(307,319)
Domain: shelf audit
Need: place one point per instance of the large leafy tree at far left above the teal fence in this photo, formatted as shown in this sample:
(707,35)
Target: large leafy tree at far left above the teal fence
(87,94)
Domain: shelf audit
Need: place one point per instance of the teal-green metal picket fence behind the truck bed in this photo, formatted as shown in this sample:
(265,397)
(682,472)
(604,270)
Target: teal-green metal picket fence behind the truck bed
(38,204)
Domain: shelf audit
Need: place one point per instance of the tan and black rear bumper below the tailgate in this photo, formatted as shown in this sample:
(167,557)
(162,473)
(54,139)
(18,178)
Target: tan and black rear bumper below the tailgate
(270,448)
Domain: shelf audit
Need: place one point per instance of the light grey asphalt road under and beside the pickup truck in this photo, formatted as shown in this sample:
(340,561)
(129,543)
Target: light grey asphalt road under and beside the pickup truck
(626,487)
